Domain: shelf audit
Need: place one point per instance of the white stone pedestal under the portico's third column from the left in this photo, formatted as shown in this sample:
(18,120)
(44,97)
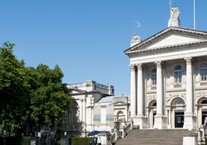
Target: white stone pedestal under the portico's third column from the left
(160,121)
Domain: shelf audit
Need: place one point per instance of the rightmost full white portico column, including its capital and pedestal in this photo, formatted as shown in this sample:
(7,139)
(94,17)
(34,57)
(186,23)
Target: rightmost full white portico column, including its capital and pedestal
(189,120)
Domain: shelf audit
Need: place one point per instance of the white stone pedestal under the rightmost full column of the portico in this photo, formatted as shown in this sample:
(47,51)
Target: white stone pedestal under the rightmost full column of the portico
(189,121)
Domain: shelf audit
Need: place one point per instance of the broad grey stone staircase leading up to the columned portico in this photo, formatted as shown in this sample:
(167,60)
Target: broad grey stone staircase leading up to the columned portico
(154,137)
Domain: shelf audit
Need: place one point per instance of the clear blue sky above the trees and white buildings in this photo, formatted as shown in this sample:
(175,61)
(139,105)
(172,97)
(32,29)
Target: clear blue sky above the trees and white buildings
(86,38)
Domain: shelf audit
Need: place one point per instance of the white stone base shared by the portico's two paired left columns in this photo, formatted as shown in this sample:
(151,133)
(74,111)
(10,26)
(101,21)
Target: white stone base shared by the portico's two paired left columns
(140,121)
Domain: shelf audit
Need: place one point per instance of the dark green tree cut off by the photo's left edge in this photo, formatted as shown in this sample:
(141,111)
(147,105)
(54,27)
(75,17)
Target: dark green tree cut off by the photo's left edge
(13,89)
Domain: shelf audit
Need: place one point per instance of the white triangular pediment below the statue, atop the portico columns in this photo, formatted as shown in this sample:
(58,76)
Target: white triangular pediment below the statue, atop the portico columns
(172,36)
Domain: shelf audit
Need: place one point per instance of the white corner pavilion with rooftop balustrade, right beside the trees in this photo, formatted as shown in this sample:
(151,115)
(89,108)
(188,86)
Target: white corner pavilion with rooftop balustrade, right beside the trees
(85,96)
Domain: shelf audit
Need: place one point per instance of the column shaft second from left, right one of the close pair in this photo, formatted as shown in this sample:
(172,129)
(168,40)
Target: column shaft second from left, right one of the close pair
(139,90)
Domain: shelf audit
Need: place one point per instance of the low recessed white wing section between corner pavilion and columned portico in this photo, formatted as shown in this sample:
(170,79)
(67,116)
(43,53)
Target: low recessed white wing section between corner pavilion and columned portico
(106,112)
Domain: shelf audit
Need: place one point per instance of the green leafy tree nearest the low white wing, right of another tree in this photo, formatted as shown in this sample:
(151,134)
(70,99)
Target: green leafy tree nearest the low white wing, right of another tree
(49,100)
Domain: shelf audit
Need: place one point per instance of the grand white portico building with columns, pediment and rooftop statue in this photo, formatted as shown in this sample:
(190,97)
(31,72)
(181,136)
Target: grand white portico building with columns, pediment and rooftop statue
(169,77)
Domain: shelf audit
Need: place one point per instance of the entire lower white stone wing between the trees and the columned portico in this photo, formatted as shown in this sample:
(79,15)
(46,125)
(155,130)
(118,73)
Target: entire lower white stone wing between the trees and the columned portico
(94,107)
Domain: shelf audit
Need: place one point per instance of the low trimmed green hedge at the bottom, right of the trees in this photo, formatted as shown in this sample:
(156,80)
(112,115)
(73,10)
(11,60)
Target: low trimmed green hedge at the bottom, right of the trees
(81,140)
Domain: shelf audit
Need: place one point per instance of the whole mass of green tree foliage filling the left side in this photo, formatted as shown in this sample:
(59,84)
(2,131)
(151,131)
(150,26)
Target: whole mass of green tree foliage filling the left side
(29,95)
